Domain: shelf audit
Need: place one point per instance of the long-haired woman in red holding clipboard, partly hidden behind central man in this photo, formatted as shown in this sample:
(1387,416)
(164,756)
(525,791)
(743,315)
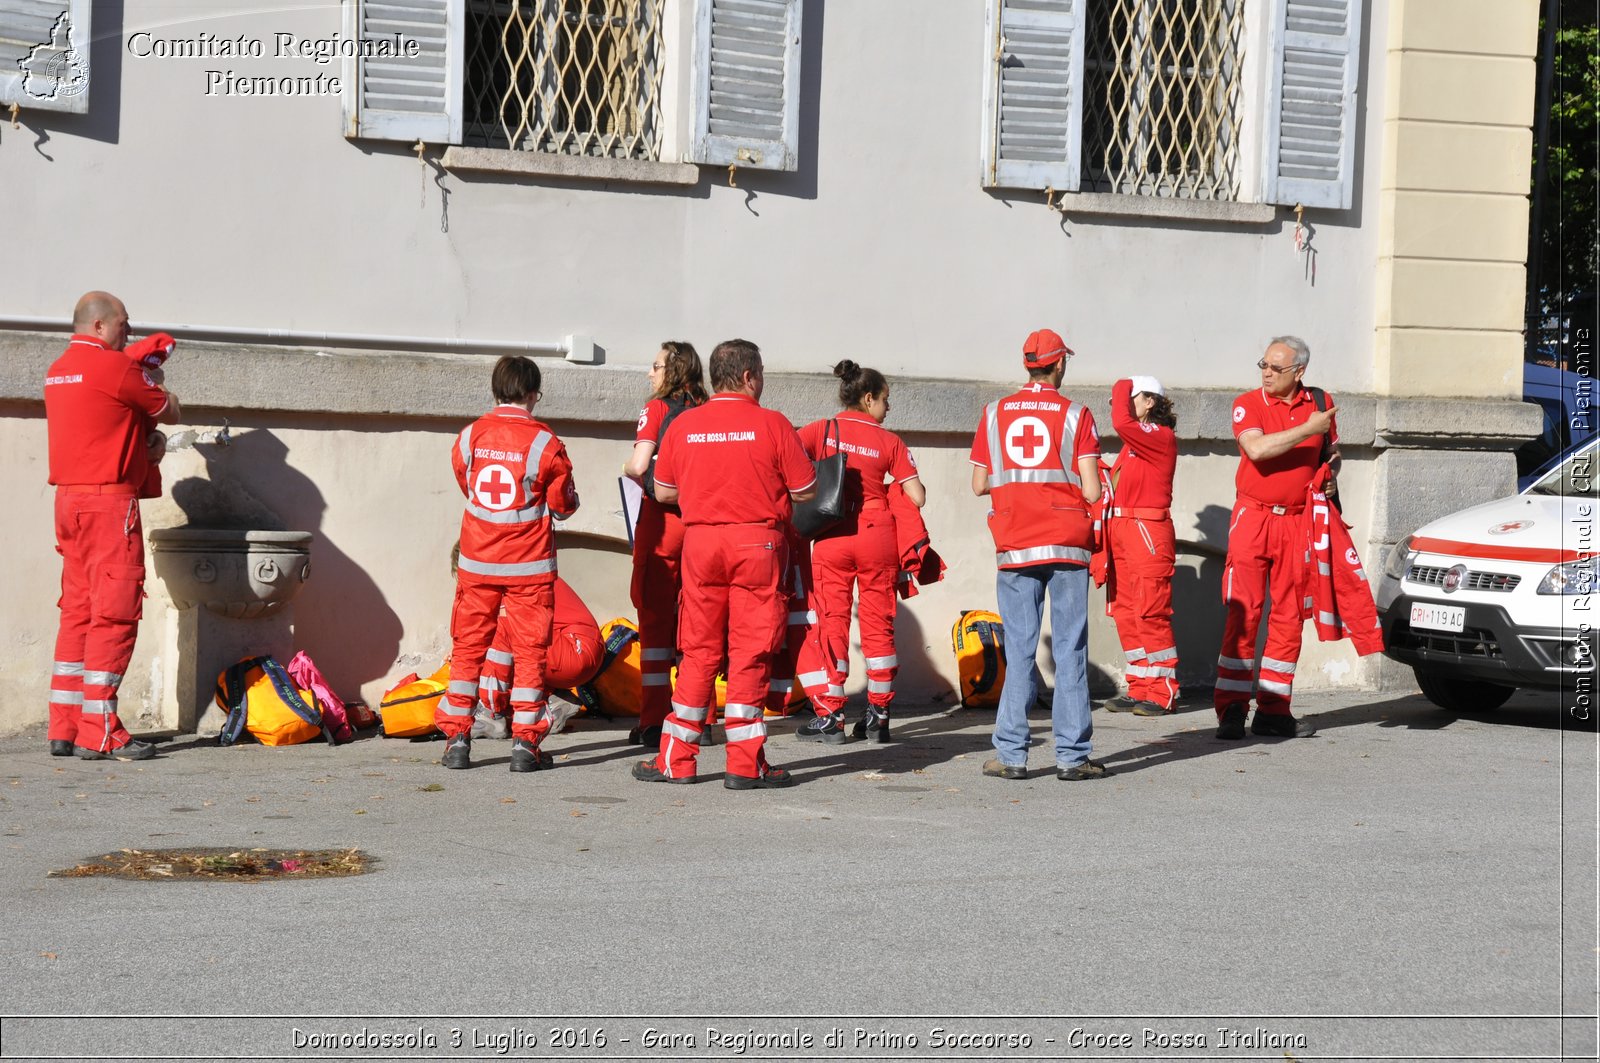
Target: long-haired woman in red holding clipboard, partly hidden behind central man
(676,385)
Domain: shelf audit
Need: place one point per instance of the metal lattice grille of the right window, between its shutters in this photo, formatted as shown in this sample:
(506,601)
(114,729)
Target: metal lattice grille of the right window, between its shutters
(1162,97)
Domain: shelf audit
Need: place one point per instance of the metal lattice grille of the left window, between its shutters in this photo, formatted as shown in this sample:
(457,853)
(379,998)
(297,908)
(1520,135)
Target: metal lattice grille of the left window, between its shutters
(570,78)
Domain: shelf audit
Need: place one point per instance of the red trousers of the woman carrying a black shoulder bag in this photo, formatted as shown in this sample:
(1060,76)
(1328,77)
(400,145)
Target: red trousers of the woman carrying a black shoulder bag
(866,563)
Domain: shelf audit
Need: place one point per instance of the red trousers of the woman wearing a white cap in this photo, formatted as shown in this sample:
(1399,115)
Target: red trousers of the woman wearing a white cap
(1140,600)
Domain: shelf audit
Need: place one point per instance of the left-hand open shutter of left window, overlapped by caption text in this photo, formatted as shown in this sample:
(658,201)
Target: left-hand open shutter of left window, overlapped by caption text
(398,98)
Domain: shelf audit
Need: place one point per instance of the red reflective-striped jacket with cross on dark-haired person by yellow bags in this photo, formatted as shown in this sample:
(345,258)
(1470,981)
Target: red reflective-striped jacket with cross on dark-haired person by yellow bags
(516,476)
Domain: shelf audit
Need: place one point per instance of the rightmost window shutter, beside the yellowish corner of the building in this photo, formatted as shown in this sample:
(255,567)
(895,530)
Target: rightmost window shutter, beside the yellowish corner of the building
(1310,145)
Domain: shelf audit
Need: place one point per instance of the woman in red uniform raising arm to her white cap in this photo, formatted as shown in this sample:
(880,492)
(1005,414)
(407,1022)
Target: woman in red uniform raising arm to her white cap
(1142,545)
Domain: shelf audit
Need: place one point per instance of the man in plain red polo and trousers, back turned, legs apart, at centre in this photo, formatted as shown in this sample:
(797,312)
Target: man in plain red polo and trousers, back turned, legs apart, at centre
(734,470)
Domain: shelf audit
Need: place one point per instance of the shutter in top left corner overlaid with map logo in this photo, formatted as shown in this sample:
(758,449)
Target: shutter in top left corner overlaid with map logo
(46,55)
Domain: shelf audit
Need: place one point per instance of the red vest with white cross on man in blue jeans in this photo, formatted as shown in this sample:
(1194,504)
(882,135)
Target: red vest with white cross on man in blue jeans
(1039,513)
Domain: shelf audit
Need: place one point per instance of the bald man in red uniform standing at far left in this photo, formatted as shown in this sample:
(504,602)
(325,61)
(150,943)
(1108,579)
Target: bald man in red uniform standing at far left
(102,409)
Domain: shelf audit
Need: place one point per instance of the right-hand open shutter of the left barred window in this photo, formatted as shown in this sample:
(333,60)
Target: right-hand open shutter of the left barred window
(748,84)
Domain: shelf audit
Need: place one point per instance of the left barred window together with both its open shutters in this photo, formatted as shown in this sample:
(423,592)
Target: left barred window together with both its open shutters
(578,79)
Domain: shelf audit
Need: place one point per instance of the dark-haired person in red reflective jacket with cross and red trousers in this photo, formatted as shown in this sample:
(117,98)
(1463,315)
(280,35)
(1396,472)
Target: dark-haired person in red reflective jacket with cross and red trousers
(516,476)
